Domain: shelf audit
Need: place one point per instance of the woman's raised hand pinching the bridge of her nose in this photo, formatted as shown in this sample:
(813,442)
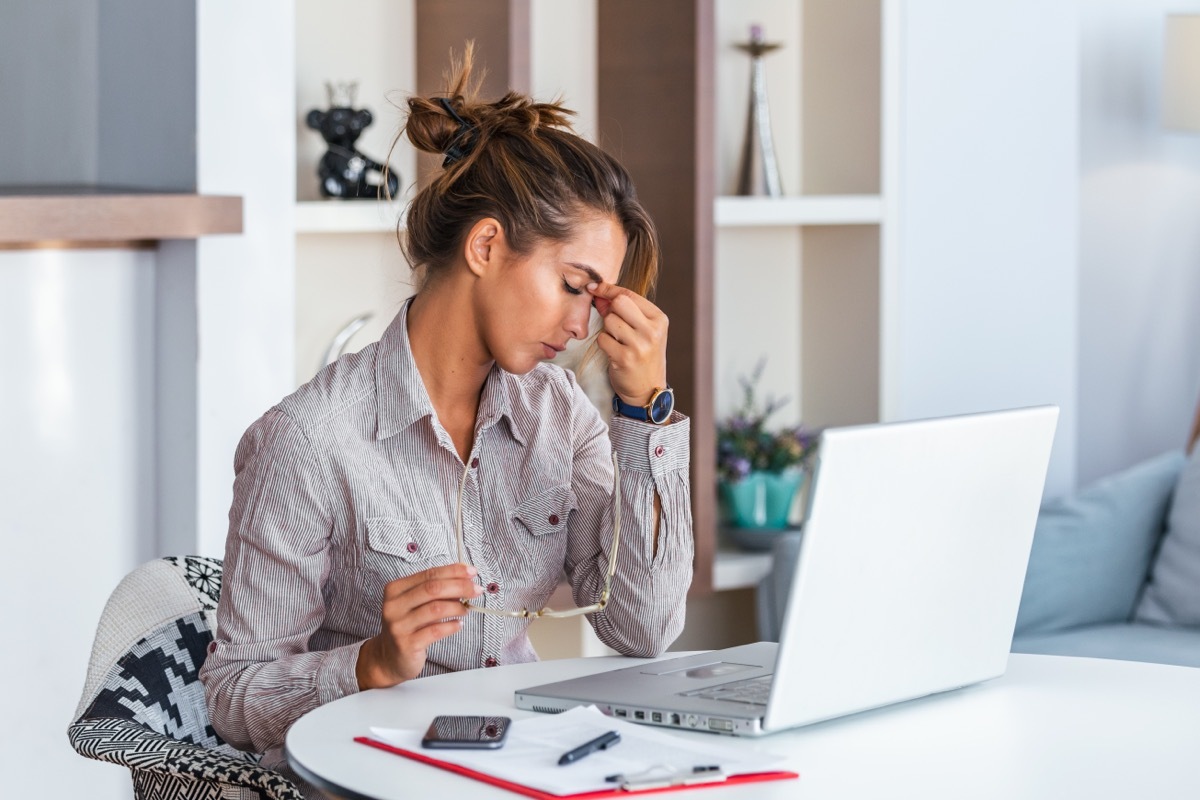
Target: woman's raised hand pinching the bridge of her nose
(634,339)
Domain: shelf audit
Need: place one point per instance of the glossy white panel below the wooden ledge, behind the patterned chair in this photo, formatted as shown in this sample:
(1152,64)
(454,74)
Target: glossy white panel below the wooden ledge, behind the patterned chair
(76,489)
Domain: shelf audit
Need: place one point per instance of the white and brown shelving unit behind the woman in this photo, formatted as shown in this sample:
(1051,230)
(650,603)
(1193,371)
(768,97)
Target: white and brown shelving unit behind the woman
(802,278)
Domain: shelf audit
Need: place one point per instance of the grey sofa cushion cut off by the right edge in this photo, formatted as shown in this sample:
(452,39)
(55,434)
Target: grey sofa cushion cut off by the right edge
(1173,596)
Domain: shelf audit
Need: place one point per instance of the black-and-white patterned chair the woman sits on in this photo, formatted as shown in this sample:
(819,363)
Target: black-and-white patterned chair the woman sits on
(143,705)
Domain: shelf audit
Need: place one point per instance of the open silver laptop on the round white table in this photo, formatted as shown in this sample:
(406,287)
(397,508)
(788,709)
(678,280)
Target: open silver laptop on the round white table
(908,584)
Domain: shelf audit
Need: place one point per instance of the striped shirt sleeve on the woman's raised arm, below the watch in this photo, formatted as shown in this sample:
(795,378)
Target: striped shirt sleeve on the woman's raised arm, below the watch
(649,600)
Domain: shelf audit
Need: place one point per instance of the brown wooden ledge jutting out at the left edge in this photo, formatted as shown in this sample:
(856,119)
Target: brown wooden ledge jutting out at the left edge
(80,216)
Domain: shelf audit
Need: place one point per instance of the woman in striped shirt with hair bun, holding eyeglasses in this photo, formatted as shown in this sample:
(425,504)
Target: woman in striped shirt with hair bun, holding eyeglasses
(448,465)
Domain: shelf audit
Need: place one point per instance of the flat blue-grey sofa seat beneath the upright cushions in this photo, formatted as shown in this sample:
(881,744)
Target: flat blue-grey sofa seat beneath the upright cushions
(1125,641)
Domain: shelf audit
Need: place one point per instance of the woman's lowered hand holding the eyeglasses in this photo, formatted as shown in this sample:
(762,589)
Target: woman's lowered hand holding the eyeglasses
(417,612)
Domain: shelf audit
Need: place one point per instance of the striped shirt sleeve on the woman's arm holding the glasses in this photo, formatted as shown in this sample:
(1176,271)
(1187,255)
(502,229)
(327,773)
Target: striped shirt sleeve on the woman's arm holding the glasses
(260,676)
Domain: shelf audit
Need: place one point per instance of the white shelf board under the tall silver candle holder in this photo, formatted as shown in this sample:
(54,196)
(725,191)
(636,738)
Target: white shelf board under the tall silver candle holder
(813,210)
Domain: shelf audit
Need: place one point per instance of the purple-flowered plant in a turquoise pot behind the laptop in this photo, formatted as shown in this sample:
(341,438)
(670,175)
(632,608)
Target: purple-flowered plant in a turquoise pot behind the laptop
(760,471)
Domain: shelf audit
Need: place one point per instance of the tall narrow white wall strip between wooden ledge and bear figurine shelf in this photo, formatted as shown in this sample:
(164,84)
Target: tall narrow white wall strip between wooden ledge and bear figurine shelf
(245,291)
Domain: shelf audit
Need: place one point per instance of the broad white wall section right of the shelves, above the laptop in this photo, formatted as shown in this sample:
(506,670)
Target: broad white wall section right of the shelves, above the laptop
(988,160)
